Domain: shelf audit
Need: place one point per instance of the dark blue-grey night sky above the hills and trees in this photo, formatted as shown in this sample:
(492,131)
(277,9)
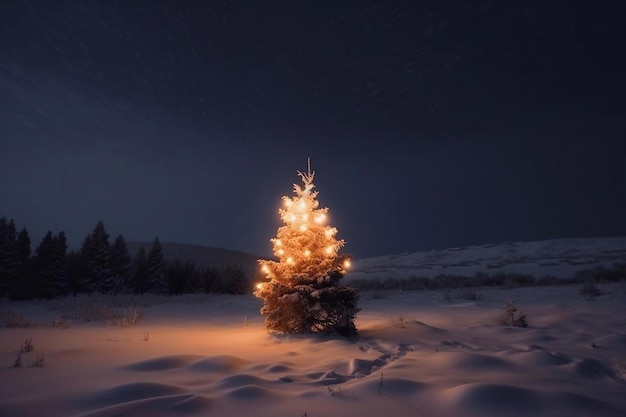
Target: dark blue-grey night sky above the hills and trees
(430,124)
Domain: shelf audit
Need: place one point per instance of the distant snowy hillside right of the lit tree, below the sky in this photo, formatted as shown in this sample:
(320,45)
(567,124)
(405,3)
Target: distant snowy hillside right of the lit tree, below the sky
(560,258)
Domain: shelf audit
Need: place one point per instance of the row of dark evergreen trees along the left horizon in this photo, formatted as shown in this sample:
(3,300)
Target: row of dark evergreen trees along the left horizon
(52,271)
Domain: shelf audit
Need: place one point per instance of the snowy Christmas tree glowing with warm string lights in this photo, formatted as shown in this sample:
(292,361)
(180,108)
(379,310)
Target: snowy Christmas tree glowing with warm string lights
(302,294)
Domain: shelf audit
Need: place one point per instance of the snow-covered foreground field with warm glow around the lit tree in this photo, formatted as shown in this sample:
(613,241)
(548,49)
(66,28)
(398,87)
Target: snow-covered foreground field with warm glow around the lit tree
(416,355)
